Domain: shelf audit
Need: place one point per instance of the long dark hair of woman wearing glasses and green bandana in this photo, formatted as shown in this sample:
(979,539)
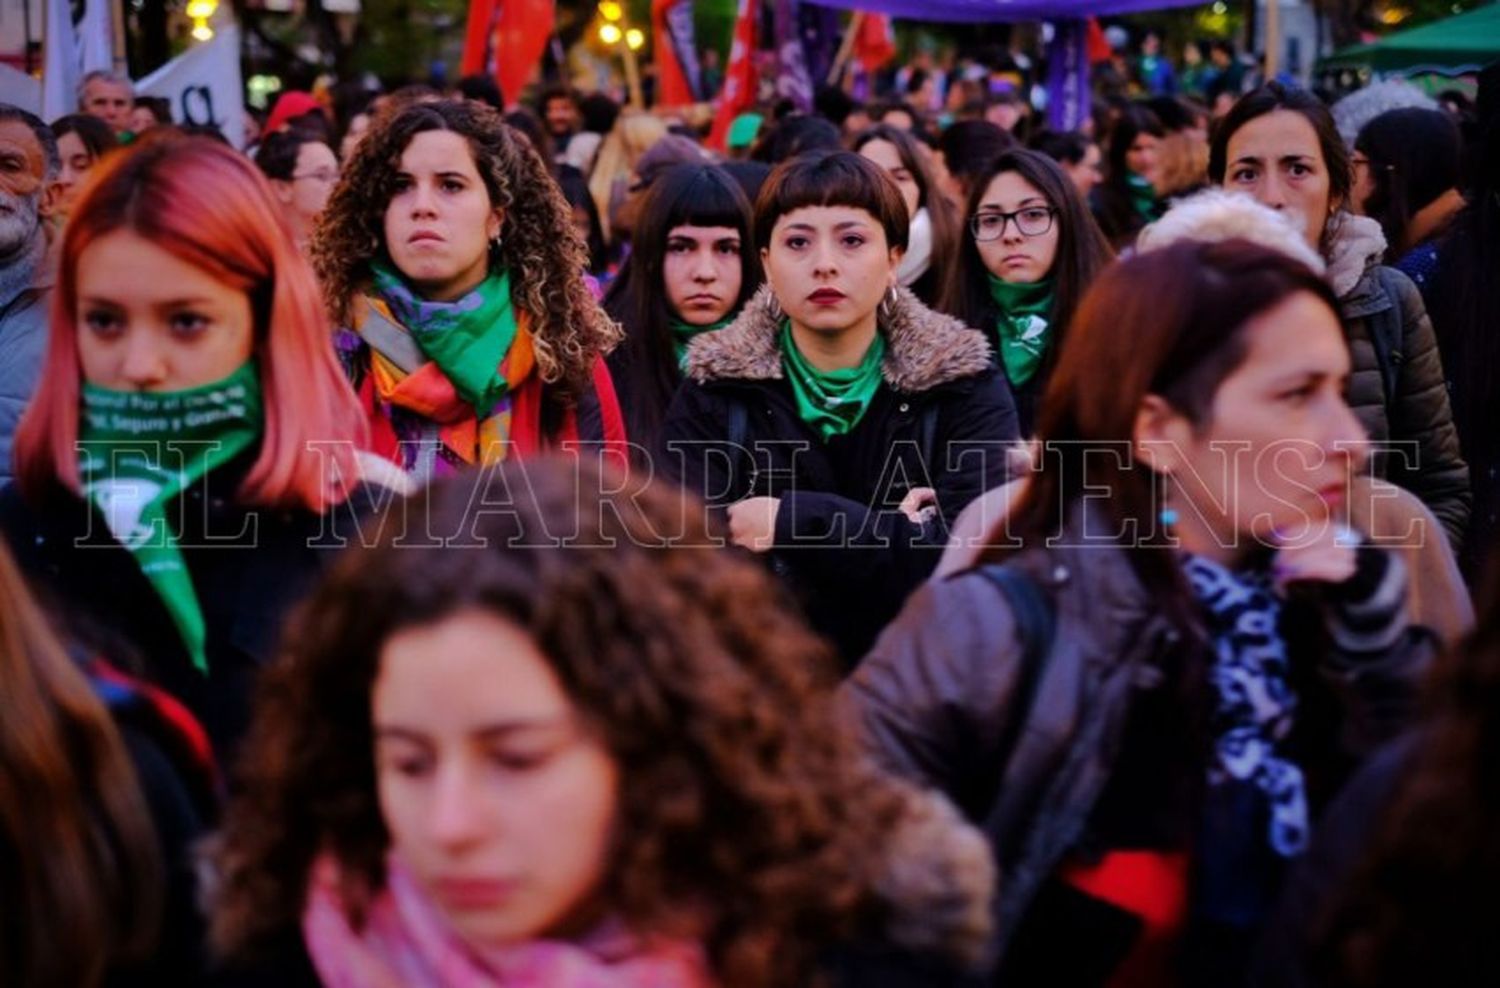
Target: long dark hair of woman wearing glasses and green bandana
(1082,251)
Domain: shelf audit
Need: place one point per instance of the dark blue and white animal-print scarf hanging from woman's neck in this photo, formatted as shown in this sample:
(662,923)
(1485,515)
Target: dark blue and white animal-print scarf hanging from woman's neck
(1256,702)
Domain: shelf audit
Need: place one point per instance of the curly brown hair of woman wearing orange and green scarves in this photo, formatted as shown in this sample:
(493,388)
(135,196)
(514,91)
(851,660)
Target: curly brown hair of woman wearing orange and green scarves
(541,245)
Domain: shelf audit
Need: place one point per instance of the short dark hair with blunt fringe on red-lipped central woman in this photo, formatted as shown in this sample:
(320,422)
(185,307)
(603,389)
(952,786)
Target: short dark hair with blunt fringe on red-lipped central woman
(832,179)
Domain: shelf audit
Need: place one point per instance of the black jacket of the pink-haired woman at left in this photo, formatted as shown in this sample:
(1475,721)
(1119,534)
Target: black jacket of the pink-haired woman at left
(250,567)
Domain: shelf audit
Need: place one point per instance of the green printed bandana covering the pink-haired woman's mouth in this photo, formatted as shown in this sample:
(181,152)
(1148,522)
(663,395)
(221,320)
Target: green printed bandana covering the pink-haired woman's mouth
(143,449)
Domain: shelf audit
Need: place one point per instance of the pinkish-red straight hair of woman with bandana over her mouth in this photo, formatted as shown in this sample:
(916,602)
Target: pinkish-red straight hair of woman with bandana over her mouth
(211,208)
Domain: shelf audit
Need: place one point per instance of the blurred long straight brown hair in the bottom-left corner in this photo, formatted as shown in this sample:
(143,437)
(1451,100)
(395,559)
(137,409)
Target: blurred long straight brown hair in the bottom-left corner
(82,876)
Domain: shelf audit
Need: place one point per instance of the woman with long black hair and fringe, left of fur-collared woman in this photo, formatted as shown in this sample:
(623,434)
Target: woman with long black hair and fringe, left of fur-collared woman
(691,271)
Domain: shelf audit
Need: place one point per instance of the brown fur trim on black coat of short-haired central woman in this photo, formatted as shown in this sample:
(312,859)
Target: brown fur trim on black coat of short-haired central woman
(923,347)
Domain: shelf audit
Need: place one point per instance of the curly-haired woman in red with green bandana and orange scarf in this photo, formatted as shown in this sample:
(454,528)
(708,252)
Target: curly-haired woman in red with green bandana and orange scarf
(452,262)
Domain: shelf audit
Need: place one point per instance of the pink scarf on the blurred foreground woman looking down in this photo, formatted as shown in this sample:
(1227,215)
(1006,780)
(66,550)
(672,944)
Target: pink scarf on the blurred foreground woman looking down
(406,944)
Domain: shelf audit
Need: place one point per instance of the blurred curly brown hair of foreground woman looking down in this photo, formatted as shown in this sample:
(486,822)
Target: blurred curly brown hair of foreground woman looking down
(748,819)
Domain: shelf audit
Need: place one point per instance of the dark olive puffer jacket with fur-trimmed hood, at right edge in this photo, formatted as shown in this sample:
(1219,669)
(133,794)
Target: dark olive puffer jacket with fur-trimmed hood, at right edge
(1417,412)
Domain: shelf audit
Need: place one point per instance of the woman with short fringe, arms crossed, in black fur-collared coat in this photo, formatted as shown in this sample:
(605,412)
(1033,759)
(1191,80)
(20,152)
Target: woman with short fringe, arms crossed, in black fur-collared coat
(838,422)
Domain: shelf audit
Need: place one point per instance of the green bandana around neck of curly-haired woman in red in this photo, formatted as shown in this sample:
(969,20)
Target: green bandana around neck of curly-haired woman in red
(469,340)
